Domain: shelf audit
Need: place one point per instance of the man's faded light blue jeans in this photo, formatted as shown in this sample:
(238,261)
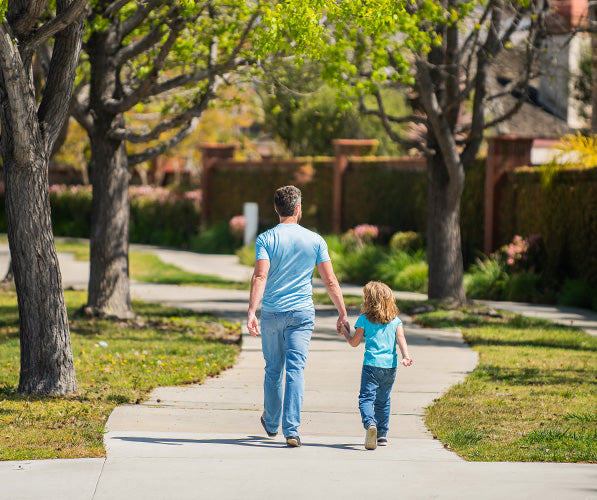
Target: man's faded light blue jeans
(285,340)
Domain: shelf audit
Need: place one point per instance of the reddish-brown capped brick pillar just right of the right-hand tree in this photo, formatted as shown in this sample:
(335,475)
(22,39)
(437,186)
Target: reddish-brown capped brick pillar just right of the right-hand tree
(504,154)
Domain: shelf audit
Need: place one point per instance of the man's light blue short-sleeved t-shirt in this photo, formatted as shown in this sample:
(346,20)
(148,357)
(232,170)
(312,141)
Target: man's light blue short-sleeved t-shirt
(293,252)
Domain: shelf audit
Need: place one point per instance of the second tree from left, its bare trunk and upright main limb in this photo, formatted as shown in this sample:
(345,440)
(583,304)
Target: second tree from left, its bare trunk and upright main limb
(109,293)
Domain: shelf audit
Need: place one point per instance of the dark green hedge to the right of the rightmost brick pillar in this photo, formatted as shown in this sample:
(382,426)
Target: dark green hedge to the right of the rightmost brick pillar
(564,214)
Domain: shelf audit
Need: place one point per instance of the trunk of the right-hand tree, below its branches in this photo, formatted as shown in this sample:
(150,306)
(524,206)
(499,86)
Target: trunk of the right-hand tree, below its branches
(443,235)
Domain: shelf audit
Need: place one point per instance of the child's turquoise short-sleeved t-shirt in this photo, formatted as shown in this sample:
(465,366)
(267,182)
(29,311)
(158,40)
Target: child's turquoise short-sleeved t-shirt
(380,342)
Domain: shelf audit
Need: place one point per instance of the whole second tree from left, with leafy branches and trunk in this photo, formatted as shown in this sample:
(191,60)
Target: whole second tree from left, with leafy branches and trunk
(171,55)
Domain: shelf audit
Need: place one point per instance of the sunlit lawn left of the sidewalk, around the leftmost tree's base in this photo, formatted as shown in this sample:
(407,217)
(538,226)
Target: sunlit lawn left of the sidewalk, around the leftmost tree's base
(116,363)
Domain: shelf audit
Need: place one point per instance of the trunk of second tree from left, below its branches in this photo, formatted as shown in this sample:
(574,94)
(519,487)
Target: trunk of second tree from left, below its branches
(109,291)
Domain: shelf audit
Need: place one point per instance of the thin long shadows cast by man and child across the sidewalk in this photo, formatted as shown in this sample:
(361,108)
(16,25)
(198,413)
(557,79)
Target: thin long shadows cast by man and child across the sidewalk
(251,441)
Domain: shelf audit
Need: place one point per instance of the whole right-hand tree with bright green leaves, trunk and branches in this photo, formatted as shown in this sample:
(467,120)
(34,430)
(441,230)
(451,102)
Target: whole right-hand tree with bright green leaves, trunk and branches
(440,53)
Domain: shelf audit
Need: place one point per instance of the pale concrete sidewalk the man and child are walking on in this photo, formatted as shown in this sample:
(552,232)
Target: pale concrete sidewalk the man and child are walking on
(206,440)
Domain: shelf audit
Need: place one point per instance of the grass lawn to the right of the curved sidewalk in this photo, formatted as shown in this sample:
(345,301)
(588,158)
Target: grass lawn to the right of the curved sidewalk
(533,396)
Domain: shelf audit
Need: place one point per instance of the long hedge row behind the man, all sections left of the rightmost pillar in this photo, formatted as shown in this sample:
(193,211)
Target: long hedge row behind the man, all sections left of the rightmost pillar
(375,192)
